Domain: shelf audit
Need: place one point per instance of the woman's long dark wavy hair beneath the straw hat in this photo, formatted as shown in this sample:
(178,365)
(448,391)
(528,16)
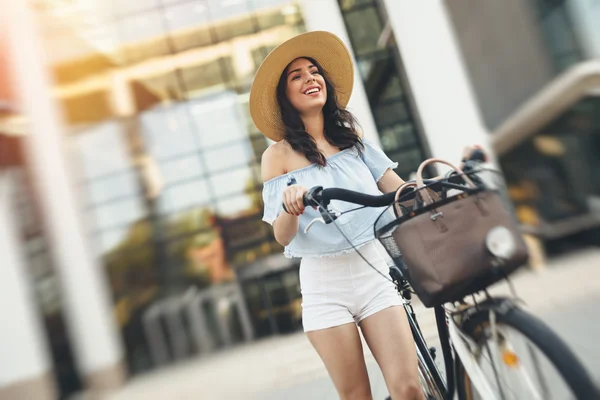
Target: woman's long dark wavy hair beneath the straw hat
(340,124)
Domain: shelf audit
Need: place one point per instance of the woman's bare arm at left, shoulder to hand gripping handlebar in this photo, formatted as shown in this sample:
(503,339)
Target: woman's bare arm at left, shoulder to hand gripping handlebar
(285,226)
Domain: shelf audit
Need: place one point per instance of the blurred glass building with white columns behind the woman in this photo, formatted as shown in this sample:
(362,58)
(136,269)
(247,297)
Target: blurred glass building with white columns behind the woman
(152,99)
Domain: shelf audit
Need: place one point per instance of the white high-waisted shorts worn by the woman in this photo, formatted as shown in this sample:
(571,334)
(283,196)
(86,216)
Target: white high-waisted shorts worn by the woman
(342,289)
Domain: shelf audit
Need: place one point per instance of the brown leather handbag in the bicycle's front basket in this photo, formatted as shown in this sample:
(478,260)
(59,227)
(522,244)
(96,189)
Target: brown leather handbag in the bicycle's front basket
(456,246)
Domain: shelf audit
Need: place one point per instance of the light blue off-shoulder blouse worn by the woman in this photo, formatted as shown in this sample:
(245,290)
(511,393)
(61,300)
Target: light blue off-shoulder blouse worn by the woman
(348,170)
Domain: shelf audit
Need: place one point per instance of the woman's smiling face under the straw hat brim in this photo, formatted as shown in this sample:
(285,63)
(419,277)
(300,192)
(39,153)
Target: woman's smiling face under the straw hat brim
(305,88)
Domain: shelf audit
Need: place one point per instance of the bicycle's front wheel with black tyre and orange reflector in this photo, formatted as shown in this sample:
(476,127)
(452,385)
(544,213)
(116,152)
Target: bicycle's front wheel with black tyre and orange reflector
(522,358)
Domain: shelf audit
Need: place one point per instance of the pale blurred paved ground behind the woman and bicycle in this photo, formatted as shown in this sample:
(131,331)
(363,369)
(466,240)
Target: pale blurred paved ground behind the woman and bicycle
(566,296)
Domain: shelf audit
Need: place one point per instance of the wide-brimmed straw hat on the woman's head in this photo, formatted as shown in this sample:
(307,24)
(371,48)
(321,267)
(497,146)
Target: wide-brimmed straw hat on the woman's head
(324,47)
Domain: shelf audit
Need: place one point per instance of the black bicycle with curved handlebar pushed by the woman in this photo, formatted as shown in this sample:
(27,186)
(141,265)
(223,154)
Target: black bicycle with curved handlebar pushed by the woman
(472,332)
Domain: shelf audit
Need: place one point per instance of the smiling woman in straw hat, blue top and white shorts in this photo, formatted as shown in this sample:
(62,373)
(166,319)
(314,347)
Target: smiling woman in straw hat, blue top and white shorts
(298,100)
